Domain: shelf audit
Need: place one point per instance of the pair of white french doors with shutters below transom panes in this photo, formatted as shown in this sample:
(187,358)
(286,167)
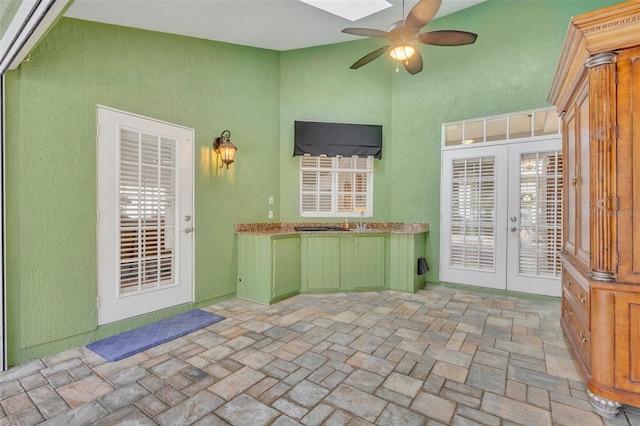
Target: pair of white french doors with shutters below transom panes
(501,216)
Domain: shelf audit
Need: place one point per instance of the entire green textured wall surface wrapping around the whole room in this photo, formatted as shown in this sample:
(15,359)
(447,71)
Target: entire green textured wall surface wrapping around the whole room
(257,94)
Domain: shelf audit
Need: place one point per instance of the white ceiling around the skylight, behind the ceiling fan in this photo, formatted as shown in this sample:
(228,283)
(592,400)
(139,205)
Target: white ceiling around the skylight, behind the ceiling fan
(270,24)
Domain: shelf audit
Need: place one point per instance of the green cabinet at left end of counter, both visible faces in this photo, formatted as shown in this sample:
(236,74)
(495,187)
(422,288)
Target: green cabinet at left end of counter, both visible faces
(268,267)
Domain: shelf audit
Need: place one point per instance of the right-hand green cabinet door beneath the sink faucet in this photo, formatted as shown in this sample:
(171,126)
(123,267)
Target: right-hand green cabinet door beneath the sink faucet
(369,260)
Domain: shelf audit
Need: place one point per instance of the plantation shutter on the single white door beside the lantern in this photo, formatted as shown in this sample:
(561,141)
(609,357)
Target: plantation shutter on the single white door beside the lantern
(147,226)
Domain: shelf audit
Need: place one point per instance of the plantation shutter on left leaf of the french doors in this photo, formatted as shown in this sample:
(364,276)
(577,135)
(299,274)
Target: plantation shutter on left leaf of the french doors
(473,207)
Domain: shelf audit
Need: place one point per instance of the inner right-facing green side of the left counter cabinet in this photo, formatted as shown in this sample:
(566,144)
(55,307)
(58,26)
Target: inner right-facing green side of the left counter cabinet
(286,267)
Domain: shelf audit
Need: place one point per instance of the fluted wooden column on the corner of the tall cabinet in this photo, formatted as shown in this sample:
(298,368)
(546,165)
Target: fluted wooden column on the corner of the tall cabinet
(602,161)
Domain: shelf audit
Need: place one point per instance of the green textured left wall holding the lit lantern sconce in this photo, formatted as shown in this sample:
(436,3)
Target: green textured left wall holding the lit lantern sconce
(50,164)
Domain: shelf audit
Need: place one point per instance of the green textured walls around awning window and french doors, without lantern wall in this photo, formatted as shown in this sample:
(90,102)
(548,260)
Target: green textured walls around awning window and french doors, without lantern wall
(509,68)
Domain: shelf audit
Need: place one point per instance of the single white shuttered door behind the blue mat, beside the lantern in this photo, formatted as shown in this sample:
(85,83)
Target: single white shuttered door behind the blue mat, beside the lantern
(145,215)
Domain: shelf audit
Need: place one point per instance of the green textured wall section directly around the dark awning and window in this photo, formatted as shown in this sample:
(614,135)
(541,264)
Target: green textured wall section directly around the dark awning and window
(317,85)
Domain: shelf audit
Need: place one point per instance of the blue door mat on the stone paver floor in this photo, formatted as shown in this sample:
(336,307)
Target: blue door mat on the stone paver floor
(140,339)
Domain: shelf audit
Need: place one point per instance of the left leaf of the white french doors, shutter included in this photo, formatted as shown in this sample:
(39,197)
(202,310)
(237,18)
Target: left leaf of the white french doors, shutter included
(474,210)
